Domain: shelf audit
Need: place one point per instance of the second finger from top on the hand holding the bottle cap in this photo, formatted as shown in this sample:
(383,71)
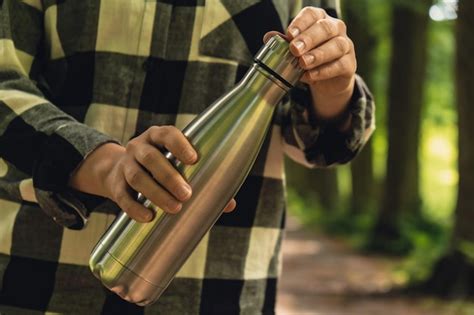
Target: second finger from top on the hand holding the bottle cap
(317,34)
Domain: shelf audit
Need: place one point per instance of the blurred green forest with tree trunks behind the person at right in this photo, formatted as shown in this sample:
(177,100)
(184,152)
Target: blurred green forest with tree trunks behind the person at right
(410,193)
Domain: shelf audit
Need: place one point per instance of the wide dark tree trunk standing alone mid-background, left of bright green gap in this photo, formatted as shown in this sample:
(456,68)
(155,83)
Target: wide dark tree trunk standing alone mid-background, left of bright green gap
(407,72)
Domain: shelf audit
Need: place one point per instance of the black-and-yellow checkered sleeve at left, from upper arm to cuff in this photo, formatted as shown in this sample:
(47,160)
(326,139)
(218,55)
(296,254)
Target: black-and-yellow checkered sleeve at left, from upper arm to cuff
(35,136)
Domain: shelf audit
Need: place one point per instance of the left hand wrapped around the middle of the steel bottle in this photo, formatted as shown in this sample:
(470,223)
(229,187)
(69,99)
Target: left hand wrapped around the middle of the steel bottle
(118,172)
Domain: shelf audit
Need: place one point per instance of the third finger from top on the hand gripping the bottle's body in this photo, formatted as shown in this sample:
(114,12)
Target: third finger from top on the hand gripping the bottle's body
(141,181)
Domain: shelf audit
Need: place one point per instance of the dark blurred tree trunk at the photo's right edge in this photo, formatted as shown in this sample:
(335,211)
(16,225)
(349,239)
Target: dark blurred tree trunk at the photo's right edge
(453,275)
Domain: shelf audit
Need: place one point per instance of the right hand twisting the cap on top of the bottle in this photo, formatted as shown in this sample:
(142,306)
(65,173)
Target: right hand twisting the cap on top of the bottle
(327,54)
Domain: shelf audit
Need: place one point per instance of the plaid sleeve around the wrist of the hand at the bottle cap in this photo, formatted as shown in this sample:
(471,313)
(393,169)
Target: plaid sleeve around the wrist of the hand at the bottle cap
(316,143)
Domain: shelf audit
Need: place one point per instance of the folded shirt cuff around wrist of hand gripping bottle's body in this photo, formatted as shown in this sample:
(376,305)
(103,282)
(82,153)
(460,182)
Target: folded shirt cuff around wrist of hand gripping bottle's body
(61,153)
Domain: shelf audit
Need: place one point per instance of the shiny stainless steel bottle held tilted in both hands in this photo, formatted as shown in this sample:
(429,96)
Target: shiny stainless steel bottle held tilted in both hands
(138,260)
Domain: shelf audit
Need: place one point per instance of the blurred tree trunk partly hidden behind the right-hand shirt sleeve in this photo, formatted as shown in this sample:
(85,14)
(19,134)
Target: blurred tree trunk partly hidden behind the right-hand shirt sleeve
(361,31)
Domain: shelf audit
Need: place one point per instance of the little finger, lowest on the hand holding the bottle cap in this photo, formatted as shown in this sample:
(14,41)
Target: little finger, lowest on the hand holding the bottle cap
(344,66)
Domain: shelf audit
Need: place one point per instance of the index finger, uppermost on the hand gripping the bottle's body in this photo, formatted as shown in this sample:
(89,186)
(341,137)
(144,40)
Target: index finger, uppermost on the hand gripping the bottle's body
(174,141)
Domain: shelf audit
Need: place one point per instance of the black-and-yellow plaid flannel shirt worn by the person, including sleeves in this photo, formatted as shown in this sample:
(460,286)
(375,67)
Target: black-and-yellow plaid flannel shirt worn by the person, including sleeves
(77,74)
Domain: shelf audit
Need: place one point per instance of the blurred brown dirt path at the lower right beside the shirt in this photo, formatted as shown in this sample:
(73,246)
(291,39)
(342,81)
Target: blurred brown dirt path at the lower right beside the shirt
(325,277)
